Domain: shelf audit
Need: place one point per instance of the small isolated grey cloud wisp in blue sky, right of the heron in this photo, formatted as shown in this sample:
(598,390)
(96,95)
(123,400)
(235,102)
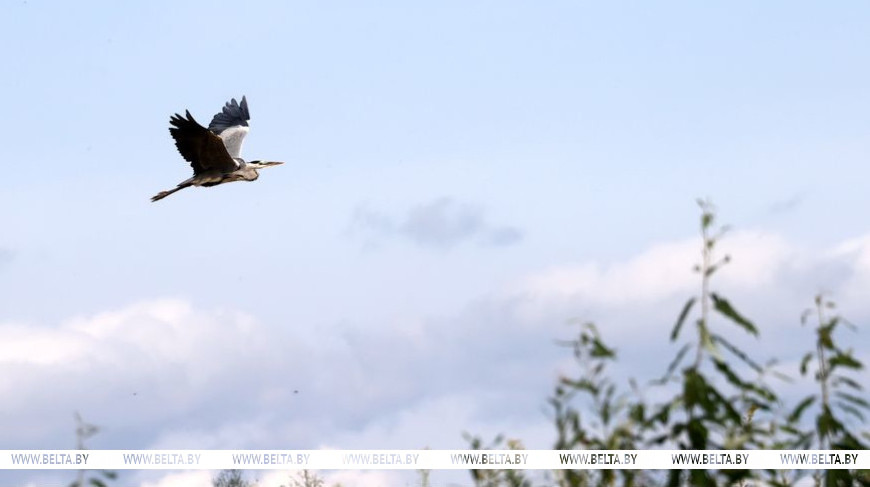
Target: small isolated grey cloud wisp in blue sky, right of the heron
(440,223)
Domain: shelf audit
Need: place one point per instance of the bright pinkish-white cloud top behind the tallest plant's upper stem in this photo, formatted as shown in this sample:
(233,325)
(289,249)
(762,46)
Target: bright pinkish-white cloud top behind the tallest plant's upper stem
(759,261)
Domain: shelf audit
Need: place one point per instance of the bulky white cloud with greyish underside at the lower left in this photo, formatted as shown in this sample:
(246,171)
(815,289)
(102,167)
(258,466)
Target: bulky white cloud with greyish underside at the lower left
(151,361)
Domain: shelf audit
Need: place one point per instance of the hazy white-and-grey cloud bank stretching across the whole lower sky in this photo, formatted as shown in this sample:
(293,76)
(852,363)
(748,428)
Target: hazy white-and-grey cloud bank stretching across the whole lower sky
(163,373)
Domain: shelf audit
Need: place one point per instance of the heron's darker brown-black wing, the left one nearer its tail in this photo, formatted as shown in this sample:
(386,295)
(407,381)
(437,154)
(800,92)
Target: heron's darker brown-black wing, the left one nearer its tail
(203,149)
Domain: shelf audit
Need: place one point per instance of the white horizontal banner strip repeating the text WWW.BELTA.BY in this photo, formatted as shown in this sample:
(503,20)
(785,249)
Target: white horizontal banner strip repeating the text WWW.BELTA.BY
(431,459)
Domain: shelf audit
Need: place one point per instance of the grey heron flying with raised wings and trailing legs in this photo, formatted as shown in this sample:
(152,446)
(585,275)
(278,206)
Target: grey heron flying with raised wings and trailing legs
(213,153)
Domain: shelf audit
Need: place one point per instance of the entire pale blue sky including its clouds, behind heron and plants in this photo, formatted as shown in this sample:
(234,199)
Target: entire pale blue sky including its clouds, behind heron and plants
(460,179)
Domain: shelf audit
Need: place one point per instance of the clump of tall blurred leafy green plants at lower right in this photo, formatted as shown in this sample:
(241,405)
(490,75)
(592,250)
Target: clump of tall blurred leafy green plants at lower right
(719,399)
